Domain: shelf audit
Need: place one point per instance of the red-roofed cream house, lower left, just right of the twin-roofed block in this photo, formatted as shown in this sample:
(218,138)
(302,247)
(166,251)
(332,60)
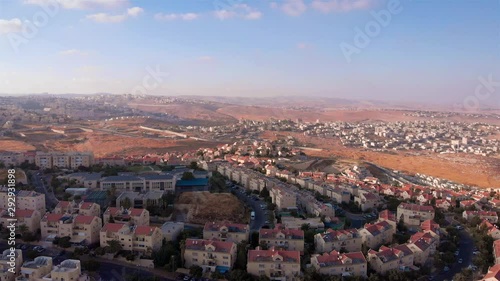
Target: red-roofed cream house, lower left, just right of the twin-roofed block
(138,238)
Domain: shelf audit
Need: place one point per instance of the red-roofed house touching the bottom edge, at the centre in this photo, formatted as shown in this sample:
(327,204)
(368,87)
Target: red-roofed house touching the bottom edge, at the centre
(275,264)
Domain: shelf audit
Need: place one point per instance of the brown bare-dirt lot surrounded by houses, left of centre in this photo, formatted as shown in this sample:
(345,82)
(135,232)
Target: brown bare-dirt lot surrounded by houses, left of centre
(202,207)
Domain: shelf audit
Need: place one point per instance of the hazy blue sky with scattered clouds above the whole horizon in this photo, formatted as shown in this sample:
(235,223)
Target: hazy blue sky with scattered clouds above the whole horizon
(431,51)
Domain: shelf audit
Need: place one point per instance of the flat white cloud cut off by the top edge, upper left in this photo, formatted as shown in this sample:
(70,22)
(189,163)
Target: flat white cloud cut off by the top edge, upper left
(80,4)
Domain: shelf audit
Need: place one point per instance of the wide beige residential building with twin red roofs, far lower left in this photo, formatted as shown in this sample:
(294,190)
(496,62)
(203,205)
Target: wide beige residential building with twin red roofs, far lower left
(82,229)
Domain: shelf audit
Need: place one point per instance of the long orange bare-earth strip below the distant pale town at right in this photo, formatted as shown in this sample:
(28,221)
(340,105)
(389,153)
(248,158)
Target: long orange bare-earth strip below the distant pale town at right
(462,168)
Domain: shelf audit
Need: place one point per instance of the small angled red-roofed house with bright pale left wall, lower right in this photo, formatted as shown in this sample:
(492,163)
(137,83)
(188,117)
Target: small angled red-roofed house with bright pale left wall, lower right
(379,233)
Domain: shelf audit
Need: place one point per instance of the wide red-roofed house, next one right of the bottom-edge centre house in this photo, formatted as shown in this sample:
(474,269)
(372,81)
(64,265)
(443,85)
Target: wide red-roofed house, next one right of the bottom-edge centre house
(335,263)
